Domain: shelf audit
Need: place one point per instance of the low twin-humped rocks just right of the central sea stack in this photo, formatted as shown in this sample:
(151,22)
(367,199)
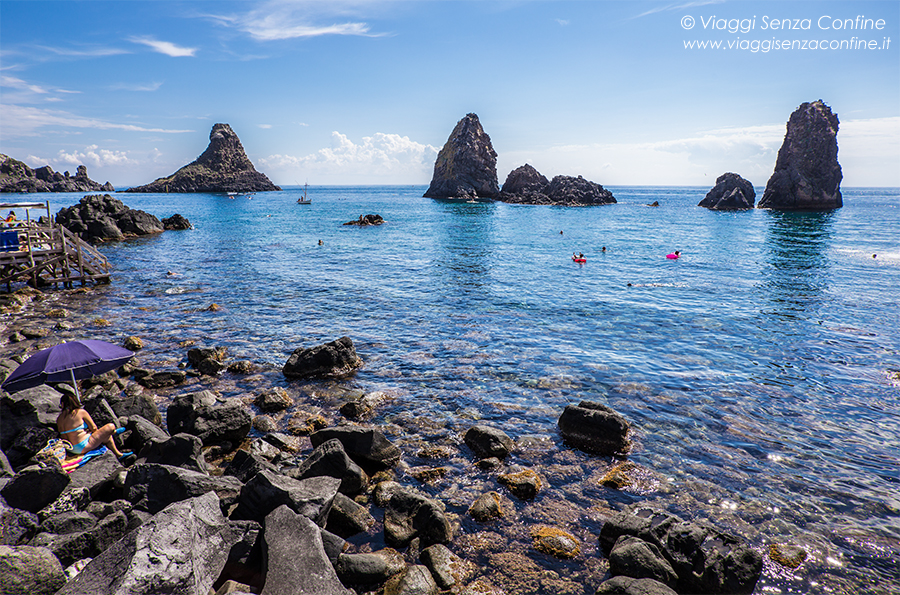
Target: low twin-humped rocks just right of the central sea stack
(526,185)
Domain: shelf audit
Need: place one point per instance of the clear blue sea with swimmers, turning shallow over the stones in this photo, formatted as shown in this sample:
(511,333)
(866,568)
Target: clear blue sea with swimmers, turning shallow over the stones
(760,371)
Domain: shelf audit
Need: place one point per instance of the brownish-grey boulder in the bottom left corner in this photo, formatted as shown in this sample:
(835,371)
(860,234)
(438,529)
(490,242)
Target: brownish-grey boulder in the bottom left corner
(31,570)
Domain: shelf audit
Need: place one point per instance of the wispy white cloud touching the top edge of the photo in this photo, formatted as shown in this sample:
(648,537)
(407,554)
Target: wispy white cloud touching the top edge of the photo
(279,19)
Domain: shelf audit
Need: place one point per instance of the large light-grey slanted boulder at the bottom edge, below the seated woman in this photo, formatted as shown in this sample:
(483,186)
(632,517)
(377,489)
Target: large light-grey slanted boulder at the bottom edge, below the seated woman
(182,549)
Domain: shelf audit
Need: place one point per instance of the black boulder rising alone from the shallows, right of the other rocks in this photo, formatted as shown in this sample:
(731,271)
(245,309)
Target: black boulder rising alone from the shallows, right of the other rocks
(594,428)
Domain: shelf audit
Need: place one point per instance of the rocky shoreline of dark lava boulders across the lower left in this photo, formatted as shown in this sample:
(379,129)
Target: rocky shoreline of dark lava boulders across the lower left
(403,522)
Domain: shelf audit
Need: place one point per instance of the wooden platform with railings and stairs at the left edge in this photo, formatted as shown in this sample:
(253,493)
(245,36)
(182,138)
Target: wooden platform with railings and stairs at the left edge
(42,253)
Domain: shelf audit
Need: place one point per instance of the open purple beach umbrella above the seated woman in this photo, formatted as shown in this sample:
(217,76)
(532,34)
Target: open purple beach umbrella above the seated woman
(67,362)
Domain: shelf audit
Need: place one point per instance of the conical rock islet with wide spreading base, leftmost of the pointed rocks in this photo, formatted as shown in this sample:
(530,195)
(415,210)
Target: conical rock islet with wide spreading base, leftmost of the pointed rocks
(223,167)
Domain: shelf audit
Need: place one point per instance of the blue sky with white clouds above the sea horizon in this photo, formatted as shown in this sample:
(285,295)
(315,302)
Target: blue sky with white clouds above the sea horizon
(367,92)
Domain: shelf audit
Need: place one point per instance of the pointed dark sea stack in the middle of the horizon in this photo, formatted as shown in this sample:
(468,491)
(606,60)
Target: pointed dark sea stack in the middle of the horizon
(466,167)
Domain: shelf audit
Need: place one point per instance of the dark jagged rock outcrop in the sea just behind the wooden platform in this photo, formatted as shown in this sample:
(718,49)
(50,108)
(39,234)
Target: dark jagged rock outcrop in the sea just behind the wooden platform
(101,218)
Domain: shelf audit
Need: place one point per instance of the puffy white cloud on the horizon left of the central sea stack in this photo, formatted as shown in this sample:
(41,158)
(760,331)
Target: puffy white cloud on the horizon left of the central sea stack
(385,158)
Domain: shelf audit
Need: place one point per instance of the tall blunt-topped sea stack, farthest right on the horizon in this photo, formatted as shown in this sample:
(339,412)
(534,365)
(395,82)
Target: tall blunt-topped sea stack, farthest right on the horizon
(807,173)
